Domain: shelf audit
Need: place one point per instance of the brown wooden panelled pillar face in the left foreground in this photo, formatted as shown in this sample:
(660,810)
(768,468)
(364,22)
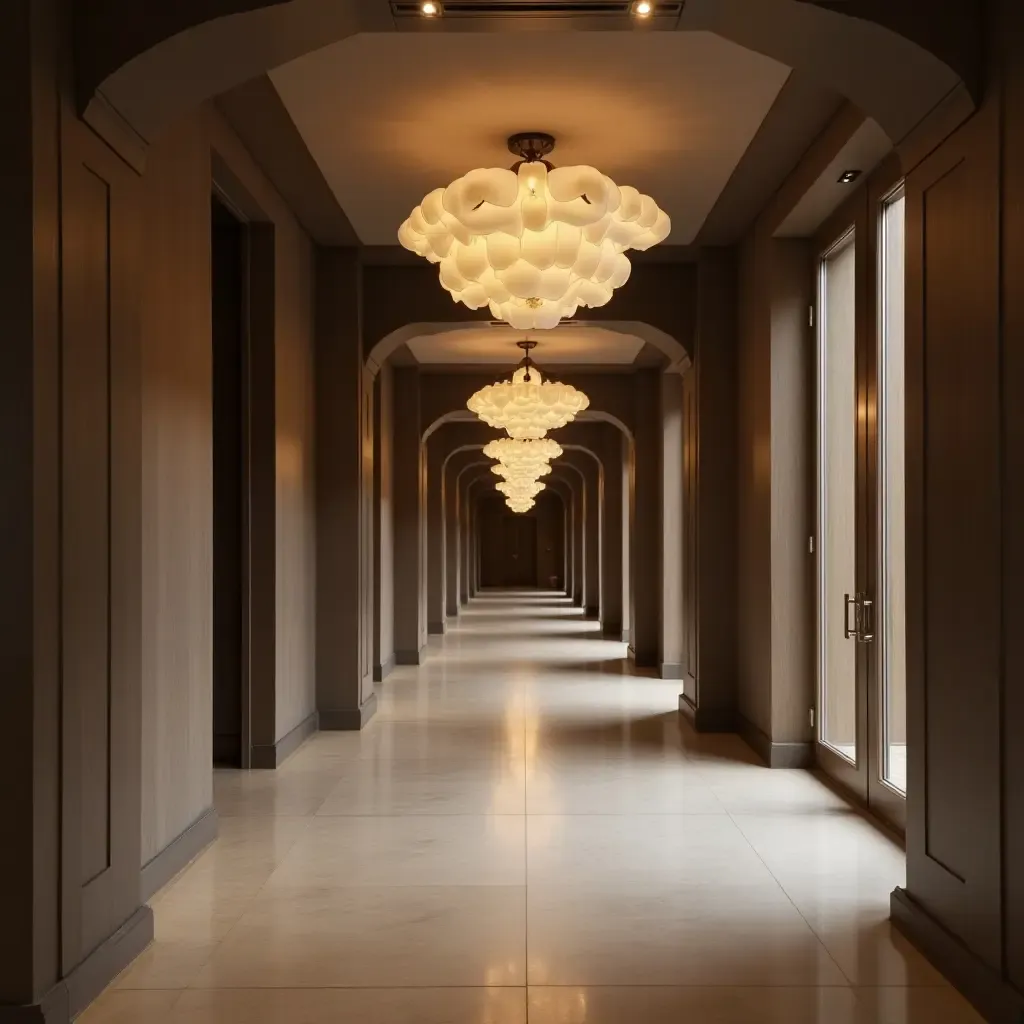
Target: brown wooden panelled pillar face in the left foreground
(101,545)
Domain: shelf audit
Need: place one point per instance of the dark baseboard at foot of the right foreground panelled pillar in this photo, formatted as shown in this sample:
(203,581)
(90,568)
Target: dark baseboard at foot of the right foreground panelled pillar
(993,998)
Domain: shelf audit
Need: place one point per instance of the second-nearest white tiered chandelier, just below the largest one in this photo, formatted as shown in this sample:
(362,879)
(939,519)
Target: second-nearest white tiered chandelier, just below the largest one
(528,406)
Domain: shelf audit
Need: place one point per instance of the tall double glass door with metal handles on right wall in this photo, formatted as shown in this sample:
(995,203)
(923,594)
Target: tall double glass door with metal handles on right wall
(860,539)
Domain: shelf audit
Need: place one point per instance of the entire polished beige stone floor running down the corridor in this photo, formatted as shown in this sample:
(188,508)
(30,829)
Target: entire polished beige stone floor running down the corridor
(527,833)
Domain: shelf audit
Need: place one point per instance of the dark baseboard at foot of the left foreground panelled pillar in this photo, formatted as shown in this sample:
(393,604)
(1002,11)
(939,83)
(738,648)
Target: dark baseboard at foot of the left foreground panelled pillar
(84,985)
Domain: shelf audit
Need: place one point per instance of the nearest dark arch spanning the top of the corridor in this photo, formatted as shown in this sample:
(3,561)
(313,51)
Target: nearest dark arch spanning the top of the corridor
(141,66)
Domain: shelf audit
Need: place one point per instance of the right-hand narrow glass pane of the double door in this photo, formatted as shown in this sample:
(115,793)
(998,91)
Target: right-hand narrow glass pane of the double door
(892,503)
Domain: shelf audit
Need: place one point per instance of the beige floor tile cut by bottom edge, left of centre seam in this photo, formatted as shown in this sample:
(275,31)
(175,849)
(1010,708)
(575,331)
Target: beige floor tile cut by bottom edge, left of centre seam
(353,1006)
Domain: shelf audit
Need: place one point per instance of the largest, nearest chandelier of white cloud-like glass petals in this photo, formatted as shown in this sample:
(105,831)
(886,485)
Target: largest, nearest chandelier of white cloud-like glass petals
(537,242)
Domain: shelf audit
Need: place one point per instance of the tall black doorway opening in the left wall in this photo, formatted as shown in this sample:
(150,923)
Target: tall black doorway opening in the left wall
(229,251)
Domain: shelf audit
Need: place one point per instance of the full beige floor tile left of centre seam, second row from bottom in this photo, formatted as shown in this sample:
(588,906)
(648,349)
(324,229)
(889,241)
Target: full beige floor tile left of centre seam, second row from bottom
(376,937)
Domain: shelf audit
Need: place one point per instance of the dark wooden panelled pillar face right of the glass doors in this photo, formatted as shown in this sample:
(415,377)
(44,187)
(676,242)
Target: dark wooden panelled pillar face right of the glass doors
(954,530)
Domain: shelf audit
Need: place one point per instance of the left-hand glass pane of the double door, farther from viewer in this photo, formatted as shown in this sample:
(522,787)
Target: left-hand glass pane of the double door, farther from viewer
(838,497)
